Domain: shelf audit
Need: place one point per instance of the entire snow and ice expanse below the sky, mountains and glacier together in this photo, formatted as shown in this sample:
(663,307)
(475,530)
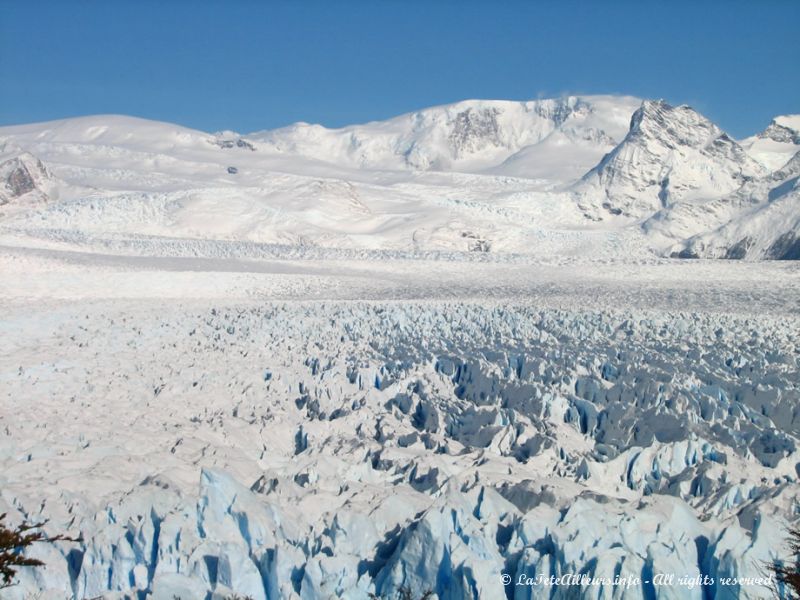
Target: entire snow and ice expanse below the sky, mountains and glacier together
(455,352)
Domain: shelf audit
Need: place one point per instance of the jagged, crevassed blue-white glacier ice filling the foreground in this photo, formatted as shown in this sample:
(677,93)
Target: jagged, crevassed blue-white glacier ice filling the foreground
(421,447)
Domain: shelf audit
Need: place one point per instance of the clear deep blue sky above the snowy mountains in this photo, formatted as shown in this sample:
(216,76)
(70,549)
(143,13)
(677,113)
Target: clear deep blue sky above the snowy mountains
(257,65)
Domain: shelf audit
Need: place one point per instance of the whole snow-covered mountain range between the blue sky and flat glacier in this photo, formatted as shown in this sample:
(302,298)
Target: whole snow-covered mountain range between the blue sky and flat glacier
(491,176)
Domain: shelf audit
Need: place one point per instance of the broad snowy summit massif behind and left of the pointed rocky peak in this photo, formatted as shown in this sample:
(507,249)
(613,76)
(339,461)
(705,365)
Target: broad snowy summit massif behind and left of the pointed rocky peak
(472,136)
